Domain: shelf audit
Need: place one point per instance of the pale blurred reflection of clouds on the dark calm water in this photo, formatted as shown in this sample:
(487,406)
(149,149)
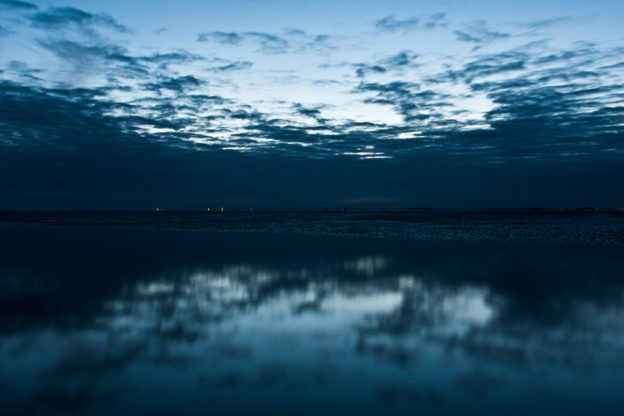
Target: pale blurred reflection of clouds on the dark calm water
(242,328)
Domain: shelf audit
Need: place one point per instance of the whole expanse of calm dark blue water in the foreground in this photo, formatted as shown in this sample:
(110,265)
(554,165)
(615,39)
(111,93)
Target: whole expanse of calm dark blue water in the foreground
(118,321)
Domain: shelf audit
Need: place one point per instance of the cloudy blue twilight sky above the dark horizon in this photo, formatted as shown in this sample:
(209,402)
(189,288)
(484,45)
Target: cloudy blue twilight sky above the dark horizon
(277,104)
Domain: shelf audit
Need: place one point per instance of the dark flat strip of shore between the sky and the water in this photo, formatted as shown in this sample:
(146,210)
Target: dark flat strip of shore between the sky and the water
(593,228)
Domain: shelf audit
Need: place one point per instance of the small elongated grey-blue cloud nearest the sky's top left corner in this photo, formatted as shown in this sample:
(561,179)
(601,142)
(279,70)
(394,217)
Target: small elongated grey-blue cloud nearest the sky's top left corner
(61,17)
